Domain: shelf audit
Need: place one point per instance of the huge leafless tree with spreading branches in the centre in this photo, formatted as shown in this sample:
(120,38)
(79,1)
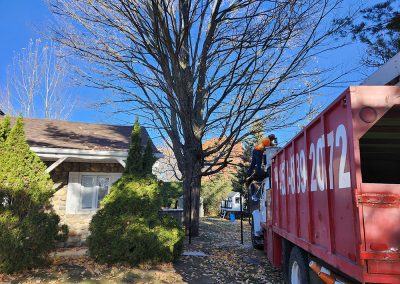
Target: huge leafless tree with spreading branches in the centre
(197,69)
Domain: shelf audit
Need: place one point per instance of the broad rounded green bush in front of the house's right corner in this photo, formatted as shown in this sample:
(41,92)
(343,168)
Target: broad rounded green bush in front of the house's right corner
(128,227)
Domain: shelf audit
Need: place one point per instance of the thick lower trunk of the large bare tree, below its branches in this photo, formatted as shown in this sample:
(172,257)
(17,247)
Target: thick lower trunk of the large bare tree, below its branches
(191,193)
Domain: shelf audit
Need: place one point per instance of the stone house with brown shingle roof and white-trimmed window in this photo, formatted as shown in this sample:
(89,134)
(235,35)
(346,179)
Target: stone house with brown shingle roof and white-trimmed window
(83,160)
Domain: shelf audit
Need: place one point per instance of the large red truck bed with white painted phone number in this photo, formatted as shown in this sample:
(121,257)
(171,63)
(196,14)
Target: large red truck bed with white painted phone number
(336,188)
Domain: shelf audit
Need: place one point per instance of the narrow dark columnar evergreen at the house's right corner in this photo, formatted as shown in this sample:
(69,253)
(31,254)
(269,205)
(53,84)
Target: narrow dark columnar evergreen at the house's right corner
(134,162)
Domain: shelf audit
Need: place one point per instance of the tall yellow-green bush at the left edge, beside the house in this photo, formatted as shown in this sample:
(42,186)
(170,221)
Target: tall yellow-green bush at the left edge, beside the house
(29,230)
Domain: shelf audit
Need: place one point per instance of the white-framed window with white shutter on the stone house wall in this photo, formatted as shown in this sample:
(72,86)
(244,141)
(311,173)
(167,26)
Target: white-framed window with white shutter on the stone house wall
(86,190)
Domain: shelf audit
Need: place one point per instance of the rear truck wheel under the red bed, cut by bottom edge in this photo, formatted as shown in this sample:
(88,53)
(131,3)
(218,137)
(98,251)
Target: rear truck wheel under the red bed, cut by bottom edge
(298,267)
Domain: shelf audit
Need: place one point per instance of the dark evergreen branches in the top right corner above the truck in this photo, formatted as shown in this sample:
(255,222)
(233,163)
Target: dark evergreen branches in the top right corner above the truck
(379,29)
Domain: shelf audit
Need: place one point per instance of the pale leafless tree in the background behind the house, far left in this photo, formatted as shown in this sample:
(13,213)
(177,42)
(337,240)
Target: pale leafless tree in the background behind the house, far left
(36,83)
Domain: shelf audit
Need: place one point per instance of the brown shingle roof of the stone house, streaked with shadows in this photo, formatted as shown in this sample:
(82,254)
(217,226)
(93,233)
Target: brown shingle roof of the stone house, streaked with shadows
(81,136)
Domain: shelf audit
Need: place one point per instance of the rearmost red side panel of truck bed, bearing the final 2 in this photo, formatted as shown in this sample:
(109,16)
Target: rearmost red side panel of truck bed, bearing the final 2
(340,183)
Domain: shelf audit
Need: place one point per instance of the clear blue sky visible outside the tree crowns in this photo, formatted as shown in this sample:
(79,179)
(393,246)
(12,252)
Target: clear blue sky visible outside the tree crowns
(21,20)
